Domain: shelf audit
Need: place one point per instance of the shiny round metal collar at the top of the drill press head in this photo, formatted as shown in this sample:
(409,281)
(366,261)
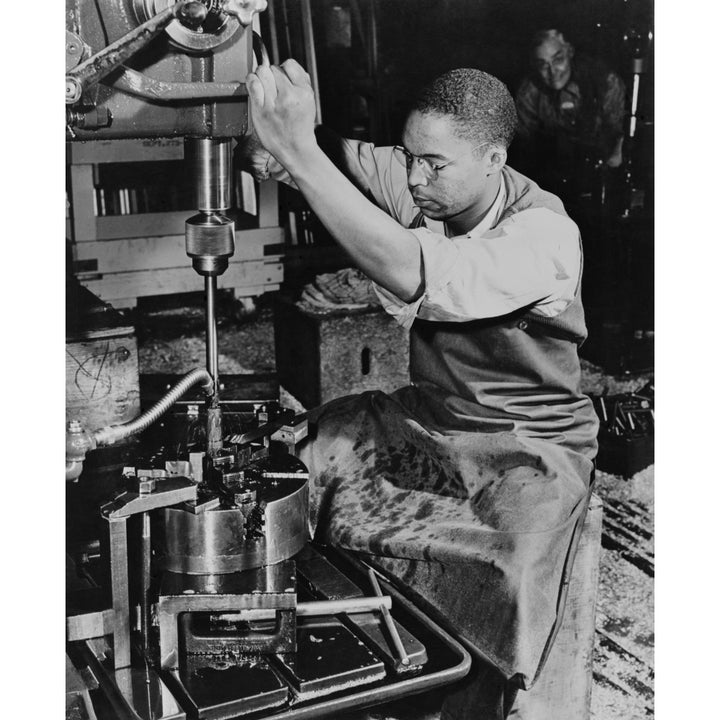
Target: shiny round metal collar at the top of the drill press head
(217,27)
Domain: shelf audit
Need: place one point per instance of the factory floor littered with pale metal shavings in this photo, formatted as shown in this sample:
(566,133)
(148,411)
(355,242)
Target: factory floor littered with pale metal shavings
(171,340)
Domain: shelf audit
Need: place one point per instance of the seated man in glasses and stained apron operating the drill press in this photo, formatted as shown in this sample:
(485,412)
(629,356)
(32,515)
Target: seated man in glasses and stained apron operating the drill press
(469,485)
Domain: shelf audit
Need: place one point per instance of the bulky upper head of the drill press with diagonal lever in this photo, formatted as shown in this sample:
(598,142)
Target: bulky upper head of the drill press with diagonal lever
(150,85)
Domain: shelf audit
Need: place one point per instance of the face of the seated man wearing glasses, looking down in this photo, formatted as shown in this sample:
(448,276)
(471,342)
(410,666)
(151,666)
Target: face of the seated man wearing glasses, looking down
(460,182)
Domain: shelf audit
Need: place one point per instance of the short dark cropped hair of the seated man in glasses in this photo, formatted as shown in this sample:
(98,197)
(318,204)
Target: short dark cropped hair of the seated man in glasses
(482,107)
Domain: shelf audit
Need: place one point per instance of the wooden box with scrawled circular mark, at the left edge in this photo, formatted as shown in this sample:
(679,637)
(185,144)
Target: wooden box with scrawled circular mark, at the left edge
(102,384)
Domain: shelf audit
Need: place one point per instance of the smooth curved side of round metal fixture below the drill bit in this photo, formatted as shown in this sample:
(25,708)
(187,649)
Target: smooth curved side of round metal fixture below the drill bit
(229,540)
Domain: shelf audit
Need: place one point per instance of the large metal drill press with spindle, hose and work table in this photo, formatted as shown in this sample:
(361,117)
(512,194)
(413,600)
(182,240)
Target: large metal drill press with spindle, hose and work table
(214,606)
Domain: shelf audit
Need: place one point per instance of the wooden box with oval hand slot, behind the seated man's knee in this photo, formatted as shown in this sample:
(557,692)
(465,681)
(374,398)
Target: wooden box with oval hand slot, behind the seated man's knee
(321,356)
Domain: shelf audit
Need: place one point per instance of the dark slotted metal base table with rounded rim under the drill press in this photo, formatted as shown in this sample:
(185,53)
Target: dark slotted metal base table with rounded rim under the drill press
(342,662)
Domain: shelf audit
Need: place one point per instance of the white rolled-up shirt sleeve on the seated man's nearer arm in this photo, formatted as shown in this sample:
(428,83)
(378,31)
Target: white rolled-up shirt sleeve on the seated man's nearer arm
(531,258)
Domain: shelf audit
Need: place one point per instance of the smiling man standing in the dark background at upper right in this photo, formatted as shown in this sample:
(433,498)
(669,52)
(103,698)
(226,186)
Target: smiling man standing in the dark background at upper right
(571,112)
